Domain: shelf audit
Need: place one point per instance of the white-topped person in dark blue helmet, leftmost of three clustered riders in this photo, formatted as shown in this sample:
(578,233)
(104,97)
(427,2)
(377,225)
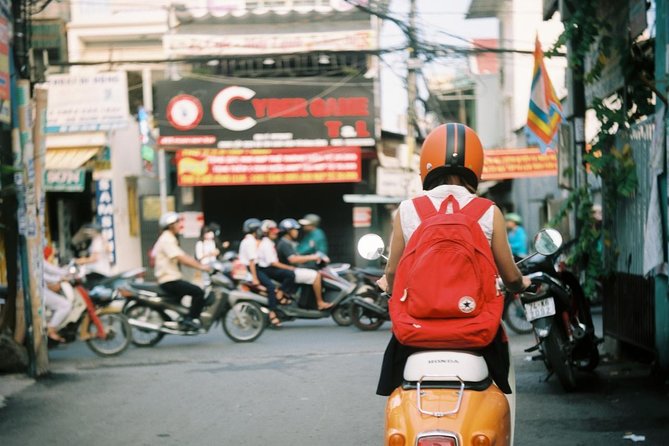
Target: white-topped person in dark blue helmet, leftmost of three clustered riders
(248,255)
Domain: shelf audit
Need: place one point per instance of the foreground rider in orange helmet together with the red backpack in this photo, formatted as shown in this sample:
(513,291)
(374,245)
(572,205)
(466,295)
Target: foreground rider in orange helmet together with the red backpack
(446,250)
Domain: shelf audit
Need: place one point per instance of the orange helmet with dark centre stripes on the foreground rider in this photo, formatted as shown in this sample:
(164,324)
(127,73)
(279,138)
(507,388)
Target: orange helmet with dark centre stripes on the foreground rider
(452,148)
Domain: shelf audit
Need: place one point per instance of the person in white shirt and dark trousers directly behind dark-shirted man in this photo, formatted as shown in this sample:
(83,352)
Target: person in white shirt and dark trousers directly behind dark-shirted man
(268,263)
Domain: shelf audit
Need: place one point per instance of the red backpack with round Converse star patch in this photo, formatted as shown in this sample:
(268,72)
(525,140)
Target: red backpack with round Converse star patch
(445,294)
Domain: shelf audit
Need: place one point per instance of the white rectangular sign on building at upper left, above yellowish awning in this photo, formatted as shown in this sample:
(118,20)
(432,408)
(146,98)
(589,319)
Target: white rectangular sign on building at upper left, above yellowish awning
(80,103)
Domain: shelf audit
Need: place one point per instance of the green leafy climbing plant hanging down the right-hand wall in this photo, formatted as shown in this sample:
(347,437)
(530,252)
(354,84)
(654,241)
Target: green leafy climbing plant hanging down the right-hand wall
(594,253)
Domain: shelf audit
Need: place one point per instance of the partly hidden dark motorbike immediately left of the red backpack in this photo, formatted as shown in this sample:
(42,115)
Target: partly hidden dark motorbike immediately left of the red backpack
(369,304)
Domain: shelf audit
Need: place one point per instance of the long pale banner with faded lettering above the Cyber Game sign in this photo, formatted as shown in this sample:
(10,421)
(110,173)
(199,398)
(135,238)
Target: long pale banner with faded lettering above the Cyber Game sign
(221,45)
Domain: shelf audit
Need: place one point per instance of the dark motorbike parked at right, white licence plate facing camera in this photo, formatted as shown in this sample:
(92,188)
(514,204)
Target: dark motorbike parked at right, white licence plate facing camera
(559,312)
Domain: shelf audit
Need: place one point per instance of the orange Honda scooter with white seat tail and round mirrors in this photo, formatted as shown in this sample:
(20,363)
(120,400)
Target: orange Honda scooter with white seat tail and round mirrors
(447,396)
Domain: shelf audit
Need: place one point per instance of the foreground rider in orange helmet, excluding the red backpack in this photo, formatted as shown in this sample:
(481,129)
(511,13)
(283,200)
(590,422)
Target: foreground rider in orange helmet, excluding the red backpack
(451,163)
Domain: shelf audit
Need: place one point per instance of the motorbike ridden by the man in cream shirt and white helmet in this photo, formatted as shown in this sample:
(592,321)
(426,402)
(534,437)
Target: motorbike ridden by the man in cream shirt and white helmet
(153,313)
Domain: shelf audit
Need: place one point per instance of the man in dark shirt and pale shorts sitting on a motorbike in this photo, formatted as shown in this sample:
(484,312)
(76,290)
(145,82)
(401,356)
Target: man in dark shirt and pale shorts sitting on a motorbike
(288,256)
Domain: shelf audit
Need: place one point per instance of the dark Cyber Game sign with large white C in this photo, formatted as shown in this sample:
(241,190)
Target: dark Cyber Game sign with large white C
(266,113)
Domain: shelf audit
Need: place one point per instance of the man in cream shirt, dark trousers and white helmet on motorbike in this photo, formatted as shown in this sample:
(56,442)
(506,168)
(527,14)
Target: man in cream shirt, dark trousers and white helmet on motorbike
(168,258)
